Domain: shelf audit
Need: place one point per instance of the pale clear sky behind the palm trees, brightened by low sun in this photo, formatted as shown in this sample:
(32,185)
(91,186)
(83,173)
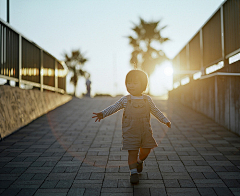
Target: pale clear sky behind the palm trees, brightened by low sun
(99,29)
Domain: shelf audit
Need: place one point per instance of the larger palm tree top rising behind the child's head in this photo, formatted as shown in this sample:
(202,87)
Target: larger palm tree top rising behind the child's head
(147,53)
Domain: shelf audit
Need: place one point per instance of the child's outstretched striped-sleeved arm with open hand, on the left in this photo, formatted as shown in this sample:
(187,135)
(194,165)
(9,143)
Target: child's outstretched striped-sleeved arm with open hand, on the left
(110,110)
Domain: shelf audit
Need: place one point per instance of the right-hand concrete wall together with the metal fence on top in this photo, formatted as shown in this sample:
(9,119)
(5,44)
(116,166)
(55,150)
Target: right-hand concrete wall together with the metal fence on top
(207,79)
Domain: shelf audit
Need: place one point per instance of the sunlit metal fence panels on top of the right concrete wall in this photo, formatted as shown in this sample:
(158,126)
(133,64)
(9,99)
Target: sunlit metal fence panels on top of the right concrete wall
(216,41)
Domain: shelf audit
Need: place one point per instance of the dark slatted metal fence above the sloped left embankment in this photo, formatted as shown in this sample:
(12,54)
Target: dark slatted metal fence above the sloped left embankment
(24,62)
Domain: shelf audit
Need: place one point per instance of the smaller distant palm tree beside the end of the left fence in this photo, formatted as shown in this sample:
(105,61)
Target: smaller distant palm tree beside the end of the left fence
(75,63)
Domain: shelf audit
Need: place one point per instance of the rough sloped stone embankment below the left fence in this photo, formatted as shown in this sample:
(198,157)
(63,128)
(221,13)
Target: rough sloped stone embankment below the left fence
(18,107)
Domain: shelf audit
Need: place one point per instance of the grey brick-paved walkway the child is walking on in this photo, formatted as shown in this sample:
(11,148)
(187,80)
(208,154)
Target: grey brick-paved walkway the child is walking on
(66,153)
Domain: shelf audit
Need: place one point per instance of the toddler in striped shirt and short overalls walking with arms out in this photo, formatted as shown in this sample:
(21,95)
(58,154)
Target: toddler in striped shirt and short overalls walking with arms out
(136,129)
